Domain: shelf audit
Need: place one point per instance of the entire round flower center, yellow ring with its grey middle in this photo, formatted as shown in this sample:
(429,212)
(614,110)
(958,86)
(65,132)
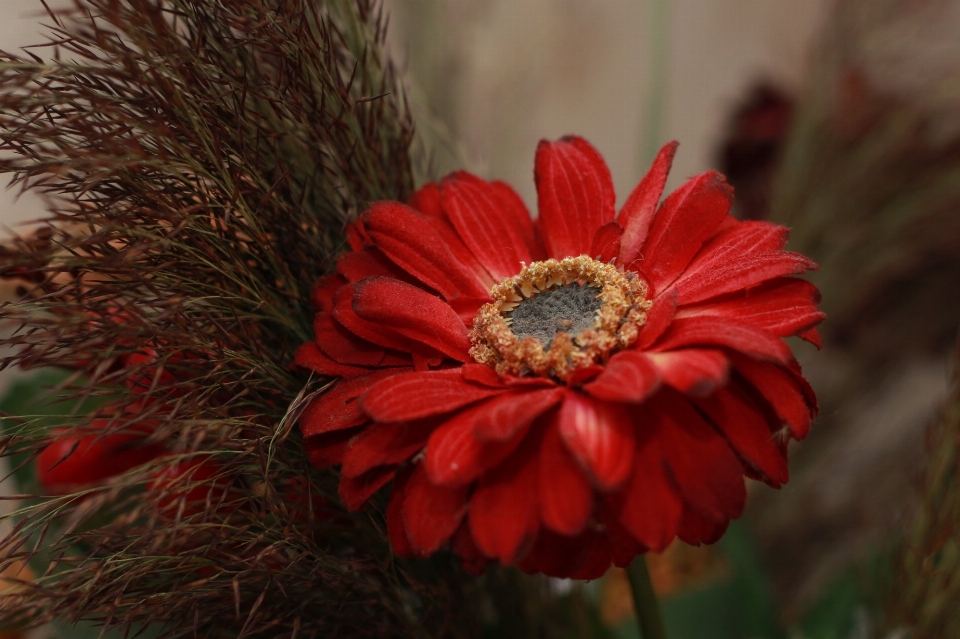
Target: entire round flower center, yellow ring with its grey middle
(555,317)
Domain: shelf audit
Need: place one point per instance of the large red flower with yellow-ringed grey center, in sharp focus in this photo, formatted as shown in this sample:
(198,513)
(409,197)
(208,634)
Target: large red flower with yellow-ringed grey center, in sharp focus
(566,392)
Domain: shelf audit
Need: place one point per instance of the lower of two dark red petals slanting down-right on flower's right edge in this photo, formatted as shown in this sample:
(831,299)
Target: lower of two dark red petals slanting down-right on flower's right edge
(748,433)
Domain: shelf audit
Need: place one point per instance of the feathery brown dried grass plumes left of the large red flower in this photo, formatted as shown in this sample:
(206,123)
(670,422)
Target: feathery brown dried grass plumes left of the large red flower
(201,158)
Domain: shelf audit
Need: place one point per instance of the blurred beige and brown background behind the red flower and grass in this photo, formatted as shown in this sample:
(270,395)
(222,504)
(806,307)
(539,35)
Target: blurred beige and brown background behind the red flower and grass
(838,118)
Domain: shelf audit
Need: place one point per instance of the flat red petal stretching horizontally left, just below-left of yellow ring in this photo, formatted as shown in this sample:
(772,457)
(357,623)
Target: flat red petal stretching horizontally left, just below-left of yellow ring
(421,394)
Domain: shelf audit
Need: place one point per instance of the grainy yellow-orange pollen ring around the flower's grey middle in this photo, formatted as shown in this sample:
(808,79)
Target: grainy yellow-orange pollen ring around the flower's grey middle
(623,311)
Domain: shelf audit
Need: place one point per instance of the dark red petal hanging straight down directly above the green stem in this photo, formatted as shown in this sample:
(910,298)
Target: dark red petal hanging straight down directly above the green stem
(651,509)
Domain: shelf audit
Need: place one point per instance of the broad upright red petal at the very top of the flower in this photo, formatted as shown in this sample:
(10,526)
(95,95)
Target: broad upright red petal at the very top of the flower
(575,195)
